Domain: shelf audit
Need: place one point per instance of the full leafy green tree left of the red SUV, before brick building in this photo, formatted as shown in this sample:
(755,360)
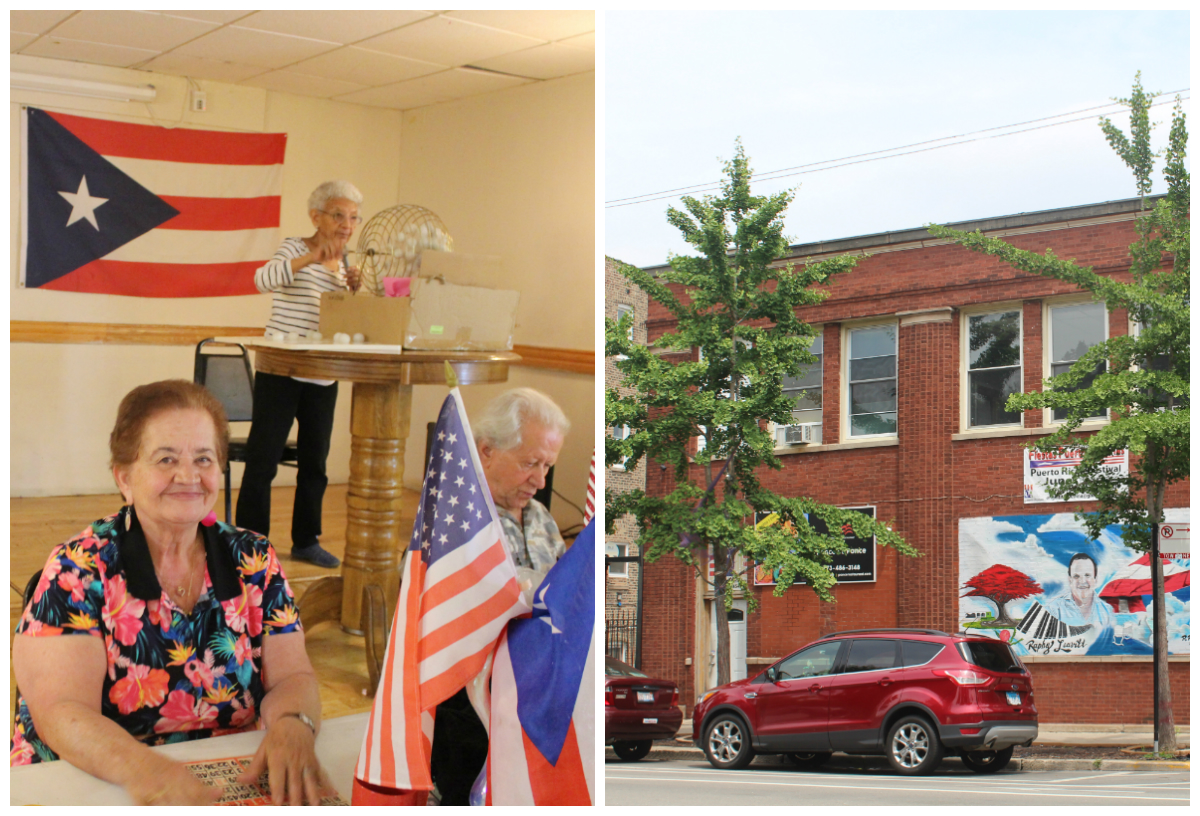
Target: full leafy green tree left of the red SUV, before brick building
(740,313)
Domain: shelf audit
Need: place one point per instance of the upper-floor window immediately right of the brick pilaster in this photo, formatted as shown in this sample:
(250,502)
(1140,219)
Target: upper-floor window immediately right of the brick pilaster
(994,368)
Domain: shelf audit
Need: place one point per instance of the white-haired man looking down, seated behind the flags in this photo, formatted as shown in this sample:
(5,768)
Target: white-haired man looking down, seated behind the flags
(519,435)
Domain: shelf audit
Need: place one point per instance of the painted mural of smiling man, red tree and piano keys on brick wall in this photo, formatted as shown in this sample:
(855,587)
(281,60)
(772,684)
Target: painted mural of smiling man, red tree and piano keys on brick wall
(1042,585)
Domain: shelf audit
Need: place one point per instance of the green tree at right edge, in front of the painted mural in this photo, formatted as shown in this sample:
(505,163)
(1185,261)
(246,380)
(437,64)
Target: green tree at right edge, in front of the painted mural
(1141,380)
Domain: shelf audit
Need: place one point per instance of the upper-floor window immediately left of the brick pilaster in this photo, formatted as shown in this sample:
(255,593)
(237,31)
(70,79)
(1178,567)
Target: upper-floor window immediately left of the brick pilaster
(872,381)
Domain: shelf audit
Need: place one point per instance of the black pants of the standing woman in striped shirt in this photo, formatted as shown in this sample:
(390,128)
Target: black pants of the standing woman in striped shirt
(278,403)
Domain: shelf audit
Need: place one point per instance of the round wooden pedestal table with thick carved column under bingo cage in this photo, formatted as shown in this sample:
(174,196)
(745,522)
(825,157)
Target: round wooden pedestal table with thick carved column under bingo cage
(381,409)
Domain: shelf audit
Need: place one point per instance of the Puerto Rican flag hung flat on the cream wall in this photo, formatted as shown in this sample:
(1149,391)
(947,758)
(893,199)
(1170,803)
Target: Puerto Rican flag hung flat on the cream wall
(124,209)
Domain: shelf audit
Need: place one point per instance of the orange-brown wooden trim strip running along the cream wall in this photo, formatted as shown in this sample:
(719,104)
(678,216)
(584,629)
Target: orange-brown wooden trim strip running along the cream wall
(119,334)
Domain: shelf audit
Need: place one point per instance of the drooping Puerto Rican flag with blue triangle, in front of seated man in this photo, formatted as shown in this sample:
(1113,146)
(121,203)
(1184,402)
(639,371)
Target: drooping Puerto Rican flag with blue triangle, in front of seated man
(543,736)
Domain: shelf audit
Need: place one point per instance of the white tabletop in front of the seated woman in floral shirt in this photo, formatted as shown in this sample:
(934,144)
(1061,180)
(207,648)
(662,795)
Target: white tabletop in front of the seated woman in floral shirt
(63,784)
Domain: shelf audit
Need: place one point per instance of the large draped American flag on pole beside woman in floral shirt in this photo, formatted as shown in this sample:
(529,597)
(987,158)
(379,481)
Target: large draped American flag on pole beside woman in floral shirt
(459,591)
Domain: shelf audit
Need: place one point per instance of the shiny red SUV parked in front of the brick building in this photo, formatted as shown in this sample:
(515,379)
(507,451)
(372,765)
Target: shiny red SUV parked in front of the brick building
(908,694)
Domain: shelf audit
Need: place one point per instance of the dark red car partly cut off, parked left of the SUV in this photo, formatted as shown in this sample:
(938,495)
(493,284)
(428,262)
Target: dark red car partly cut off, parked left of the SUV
(638,710)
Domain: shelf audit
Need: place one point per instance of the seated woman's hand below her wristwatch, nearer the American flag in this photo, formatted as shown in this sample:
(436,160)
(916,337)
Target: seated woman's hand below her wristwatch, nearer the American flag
(289,757)
